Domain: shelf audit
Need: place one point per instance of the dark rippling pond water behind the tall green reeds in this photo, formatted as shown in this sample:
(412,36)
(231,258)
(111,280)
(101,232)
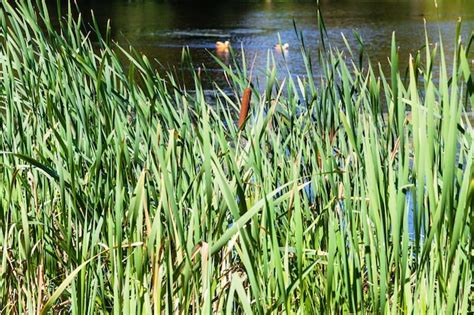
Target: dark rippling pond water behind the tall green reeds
(160,29)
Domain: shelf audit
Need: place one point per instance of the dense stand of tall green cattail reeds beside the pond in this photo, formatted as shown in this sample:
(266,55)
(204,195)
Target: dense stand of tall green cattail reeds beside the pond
(122,192)
